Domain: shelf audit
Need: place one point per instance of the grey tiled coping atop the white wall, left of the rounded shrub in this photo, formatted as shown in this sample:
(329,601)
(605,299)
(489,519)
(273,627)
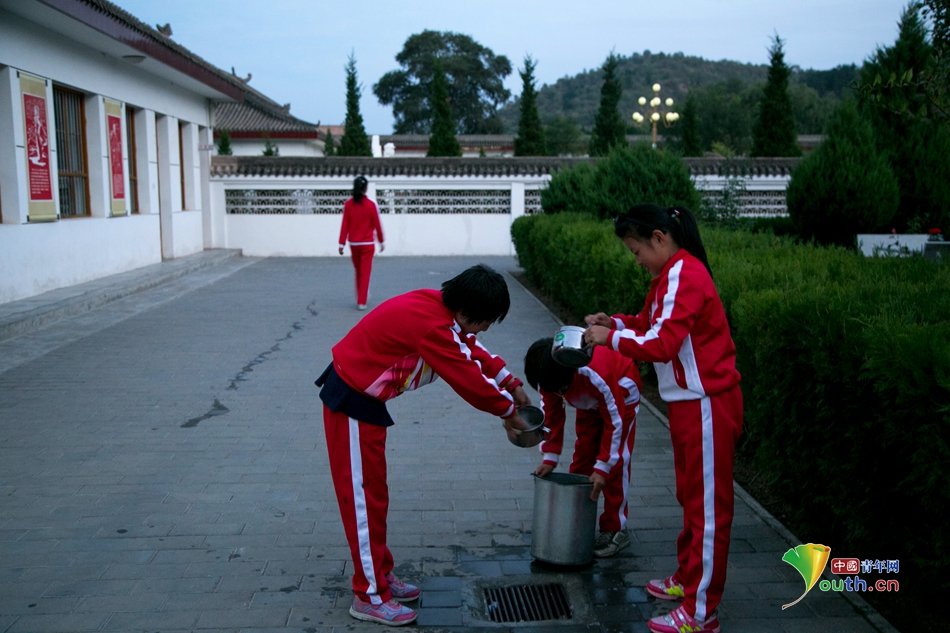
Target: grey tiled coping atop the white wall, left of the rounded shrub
(304,166)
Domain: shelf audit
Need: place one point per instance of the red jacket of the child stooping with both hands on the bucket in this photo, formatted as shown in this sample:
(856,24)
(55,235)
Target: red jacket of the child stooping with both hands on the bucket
(611,385)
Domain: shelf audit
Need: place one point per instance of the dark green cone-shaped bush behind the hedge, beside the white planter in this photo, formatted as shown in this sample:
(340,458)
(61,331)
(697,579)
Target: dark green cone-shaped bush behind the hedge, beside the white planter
(844,187)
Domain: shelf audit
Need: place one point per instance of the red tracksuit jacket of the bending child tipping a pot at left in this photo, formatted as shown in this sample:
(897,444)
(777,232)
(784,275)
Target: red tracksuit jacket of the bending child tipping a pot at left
(408,342)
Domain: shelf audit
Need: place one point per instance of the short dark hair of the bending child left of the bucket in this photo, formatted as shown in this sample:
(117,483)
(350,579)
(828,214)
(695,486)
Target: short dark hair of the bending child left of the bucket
(479,293)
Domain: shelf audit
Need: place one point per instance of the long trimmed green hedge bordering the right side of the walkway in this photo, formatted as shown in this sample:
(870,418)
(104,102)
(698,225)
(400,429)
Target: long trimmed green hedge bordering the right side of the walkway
(846,375)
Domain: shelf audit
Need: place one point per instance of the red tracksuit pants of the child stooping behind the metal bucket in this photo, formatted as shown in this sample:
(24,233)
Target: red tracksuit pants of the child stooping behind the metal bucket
(589,428)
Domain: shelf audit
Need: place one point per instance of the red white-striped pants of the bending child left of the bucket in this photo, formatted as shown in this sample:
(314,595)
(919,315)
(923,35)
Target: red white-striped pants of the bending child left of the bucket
(358,466)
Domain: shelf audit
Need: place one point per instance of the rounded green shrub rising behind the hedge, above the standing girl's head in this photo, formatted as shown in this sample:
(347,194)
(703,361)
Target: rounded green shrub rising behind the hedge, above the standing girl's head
(628,176)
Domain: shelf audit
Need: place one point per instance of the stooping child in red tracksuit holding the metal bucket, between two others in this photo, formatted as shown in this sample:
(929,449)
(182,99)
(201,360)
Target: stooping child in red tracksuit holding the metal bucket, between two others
(606,394)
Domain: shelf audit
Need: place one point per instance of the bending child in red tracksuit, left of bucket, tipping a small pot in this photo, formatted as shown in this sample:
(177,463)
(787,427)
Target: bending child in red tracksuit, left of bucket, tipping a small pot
(406,343)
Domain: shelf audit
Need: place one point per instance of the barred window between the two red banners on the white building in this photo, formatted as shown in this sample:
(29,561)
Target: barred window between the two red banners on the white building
(71,160)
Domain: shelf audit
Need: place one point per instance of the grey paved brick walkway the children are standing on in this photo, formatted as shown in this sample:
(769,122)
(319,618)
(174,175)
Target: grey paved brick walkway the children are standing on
(163,468)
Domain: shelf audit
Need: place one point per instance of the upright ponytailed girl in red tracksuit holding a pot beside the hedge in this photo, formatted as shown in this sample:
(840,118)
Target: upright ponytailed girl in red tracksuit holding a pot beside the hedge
(683,331)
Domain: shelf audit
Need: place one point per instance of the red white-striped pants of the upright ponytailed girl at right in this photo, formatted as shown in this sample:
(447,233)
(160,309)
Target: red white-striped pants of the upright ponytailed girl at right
(704,434)
